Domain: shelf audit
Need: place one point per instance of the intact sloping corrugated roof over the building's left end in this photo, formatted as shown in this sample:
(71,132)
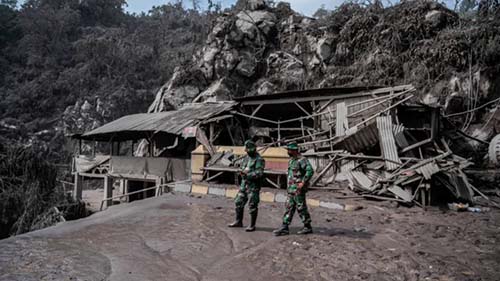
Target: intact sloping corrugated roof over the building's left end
(172,122)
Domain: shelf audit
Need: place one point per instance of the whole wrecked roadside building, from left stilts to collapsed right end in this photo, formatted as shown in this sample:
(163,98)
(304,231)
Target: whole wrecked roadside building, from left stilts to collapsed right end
(380,140)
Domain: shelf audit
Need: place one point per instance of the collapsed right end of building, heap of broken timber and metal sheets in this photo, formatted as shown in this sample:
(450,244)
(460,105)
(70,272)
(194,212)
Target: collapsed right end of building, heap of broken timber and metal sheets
(397,151)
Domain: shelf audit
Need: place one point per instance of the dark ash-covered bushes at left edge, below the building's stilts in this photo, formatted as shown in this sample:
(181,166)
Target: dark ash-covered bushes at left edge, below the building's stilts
(30,196)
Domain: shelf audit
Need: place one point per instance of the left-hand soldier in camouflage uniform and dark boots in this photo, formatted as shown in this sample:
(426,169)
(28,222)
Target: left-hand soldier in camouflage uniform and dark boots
(252,174)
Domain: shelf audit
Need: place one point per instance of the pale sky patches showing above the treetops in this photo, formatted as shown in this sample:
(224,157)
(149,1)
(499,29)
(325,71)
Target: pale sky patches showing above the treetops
(306,7)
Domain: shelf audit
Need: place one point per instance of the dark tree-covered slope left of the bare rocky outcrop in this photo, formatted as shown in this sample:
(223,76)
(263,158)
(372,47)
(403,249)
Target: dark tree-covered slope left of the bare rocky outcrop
(67,66)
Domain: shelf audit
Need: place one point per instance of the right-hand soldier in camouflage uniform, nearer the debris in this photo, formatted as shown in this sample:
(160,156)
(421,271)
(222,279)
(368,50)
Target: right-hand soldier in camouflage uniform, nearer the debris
(300,173)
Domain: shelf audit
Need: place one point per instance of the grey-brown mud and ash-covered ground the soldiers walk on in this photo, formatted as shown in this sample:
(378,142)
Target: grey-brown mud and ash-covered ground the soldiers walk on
(179,237)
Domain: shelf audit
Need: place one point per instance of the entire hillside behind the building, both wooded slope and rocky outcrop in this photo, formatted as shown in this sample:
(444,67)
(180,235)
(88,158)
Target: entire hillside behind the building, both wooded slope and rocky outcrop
(70,66)
